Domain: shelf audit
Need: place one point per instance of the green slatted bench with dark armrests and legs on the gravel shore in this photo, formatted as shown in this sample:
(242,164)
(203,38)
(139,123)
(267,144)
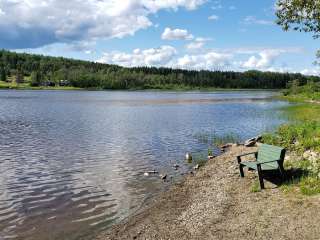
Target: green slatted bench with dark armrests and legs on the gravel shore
(268,158)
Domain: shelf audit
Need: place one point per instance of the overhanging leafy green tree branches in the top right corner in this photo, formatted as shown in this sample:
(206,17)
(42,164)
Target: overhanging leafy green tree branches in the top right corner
(299,15)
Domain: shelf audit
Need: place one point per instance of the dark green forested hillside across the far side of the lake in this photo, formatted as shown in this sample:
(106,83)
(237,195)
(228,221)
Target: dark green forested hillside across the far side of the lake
(40,69)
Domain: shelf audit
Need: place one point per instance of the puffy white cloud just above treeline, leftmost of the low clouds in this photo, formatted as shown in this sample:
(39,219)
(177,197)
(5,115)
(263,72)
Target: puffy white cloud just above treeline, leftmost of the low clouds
(148,57)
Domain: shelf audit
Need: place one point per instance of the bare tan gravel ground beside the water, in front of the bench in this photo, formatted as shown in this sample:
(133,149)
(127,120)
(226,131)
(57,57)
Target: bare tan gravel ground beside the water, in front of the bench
(216,204)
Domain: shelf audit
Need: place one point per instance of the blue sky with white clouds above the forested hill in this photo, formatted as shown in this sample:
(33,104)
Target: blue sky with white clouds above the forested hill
(236,35)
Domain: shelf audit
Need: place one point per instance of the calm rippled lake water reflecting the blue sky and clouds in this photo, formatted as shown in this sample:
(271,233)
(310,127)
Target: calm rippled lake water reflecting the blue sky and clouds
(72,163)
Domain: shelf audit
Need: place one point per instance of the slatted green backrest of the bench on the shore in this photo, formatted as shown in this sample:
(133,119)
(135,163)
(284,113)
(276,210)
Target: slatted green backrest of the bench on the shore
(268,153)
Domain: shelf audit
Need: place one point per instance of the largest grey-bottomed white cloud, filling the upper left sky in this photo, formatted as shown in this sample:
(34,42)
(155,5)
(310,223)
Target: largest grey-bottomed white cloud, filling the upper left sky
(59,21)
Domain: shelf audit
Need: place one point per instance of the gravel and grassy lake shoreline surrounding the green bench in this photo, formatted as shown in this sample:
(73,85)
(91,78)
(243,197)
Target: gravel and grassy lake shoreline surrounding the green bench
(216,203)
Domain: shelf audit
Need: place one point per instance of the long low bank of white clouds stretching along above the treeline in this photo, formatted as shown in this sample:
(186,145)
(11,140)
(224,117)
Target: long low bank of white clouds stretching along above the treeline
(264,59)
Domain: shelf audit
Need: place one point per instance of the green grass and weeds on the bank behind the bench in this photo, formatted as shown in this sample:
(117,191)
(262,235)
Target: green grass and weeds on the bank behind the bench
(301,134)
